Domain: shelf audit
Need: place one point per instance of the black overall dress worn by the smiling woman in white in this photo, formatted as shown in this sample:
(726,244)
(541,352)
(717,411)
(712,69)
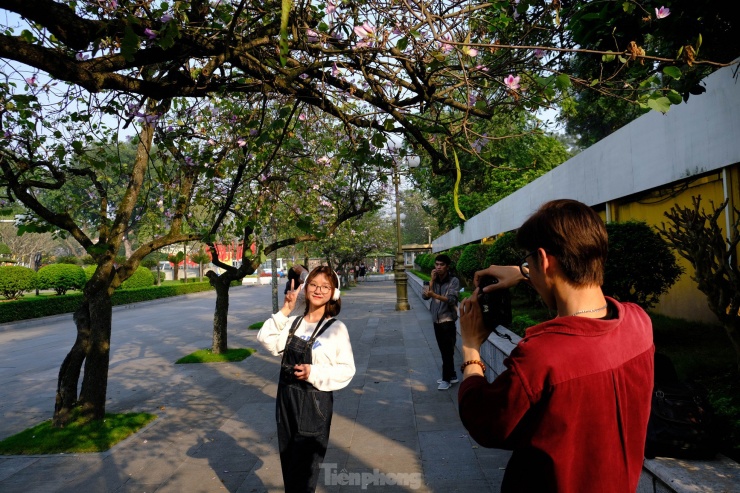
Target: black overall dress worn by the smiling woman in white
(303,415)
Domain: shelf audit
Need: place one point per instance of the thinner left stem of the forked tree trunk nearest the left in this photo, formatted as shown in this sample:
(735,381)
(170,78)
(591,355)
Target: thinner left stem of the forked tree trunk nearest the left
(69,372)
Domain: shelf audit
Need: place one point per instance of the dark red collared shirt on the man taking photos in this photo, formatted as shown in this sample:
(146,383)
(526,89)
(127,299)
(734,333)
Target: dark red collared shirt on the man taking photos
(573,404)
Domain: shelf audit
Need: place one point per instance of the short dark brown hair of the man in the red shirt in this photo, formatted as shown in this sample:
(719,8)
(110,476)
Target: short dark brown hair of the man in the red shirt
(574,234)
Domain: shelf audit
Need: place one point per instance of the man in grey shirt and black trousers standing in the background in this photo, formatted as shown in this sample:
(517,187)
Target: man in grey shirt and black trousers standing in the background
(443,291)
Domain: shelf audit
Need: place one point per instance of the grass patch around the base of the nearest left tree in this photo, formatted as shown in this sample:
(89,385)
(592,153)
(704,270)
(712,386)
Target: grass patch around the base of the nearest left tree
(79,436)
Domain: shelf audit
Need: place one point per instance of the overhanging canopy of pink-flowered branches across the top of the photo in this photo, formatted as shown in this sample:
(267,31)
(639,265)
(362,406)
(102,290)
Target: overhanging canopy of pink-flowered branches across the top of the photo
(422,69)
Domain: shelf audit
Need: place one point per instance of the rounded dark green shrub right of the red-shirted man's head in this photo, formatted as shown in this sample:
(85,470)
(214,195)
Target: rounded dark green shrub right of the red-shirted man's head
(640,266)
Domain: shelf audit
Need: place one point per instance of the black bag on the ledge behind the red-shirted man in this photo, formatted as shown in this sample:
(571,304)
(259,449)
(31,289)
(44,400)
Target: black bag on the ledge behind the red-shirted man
(681,421)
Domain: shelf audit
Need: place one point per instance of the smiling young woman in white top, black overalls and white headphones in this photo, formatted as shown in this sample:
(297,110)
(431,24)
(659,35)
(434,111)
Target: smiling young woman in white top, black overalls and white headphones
(317,359)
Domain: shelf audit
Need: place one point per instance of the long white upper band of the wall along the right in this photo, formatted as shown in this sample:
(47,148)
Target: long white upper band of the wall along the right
(654,150)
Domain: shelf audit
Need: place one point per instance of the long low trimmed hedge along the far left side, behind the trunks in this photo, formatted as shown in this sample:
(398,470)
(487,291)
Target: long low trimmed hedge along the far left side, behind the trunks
(25,309)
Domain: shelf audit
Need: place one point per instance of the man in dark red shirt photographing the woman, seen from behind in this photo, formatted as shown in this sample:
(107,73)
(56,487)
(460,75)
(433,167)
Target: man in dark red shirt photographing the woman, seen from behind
(574,400)
